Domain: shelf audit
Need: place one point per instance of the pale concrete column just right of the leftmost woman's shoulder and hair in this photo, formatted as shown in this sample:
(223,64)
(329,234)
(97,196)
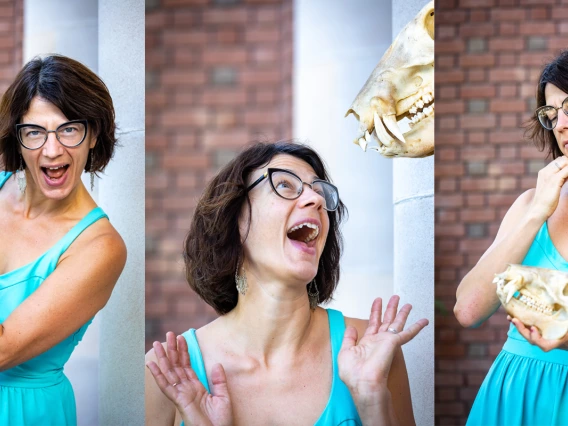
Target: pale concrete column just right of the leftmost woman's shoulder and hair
(121,66)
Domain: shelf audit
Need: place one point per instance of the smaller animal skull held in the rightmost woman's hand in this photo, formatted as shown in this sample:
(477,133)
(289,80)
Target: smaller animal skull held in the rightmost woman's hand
(536,296)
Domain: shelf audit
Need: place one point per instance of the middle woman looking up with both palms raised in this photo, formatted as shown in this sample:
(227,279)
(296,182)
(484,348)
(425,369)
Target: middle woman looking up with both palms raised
(263,250)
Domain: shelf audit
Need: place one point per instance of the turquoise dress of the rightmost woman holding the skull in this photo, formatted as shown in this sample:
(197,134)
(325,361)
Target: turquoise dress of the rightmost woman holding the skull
(526,386)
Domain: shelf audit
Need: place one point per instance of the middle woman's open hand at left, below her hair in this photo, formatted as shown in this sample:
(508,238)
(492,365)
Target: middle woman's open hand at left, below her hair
(177,380)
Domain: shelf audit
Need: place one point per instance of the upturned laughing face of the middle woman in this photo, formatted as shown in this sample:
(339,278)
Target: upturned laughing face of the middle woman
(272,250)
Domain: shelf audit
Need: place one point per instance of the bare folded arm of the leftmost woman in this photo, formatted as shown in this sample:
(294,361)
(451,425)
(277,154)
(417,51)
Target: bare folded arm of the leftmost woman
(78,288)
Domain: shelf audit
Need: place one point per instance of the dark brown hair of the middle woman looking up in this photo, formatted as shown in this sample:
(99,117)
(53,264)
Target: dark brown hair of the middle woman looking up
(213,245)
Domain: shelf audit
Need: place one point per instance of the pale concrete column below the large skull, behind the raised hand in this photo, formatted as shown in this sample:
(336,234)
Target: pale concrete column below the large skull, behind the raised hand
(413,197)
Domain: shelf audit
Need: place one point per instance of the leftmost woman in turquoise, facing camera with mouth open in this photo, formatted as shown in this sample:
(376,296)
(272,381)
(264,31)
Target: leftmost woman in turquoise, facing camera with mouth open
(60,257)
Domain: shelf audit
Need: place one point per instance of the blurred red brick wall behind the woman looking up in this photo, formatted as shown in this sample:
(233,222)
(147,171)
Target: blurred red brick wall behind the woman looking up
(218,75)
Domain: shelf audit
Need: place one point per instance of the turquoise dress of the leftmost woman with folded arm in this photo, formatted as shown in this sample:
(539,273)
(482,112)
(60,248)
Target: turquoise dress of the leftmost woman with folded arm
(37,393)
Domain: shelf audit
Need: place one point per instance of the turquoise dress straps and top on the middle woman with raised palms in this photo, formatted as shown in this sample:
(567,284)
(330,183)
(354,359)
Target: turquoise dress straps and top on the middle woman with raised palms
(340,408)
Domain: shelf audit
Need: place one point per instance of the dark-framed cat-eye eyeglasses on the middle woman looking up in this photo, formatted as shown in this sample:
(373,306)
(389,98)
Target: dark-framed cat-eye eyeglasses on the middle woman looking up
(289,186)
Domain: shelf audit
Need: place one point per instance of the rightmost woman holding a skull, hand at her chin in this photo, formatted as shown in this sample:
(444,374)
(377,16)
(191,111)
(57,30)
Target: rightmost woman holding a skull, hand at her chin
(528,383)
